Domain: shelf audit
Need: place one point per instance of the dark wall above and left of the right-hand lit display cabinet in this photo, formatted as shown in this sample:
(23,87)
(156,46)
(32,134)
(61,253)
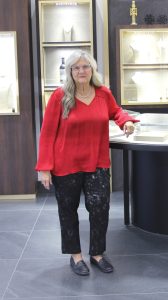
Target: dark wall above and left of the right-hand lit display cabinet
(119,14)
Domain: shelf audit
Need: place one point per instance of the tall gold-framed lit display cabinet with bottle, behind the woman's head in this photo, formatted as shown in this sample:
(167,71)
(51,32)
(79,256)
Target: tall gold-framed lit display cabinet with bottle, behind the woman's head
(63,27)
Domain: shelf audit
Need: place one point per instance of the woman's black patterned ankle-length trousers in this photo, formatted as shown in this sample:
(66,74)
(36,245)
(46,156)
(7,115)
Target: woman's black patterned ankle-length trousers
(96,188)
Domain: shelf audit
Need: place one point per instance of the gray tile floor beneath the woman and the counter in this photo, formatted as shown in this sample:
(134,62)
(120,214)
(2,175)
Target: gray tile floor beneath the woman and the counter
(32,266)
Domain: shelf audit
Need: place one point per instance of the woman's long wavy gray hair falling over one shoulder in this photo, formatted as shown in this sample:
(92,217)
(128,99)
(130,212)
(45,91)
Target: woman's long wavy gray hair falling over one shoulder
(69,87)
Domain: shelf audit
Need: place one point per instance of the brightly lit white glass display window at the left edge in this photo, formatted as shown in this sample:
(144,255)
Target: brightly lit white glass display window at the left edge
(9,103)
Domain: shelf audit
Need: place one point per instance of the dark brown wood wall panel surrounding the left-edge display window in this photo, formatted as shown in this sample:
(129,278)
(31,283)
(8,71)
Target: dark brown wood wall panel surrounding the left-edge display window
(17,143)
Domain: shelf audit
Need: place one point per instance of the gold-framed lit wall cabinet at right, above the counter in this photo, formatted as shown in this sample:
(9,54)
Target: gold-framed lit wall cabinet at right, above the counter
(143,65)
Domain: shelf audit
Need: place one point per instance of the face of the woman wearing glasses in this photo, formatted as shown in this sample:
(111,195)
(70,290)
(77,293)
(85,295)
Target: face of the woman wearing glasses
(81,72)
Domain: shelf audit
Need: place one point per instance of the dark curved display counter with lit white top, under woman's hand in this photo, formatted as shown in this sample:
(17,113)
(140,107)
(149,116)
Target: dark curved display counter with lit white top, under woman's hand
(146,152)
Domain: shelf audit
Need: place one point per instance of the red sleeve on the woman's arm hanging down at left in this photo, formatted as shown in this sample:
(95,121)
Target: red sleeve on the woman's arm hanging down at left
(48,132)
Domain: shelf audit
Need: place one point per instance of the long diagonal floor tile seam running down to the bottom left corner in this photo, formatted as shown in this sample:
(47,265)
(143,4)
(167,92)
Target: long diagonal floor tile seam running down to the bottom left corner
(22,252)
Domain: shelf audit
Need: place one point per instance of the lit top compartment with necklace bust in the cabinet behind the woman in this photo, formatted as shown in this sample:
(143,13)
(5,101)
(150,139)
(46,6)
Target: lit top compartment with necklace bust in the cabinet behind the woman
(66,22)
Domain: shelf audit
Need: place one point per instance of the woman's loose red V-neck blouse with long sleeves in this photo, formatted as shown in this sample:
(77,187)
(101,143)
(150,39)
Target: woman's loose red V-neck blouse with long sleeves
(81,141)
